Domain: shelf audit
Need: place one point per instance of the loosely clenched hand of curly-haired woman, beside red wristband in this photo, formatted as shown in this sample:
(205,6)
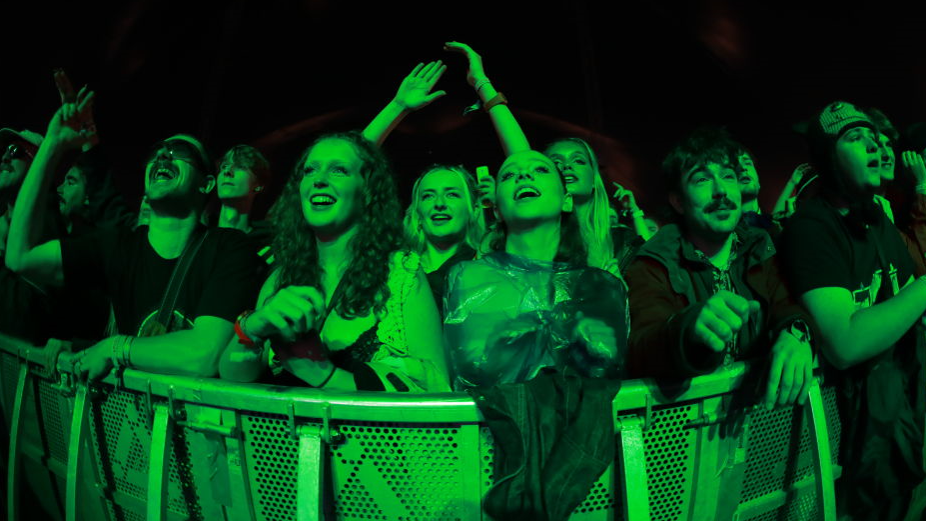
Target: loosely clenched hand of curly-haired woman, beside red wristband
(292,311)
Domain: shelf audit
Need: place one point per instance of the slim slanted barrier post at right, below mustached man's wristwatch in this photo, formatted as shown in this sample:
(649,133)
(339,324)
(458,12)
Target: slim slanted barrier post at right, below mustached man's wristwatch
(820,447)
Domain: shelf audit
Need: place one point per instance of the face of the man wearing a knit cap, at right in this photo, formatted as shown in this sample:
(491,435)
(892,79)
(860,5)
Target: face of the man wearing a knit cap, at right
(858,159)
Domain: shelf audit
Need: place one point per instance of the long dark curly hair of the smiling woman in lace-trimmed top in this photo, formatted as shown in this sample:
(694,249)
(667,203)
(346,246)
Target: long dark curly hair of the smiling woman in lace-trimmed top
(378,236)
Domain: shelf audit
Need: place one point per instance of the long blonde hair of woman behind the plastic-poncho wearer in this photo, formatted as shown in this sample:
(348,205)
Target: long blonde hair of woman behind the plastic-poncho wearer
(594,222)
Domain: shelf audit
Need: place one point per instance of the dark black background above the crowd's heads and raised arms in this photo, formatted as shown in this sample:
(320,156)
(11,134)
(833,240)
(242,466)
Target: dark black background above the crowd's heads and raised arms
(631,77)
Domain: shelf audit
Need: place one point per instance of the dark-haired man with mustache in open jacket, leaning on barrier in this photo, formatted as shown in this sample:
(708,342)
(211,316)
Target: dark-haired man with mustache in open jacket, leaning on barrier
(705,290)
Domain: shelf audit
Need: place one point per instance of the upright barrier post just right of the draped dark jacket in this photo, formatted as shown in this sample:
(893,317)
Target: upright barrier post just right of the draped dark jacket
(633,468)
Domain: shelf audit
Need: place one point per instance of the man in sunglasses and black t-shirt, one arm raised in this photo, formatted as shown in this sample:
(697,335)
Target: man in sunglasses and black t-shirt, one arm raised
(179,333)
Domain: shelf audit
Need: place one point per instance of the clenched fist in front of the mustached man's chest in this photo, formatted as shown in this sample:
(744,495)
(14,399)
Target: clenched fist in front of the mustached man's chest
(721,317)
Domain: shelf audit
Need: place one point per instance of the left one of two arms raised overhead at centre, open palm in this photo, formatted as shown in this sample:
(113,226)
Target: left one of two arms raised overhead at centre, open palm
(414,94)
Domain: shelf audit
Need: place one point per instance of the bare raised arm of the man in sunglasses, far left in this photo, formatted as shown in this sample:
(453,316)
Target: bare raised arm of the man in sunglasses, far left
(41,263)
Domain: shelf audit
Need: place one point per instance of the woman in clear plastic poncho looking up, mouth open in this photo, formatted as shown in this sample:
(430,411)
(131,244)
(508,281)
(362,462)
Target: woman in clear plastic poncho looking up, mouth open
(532,302)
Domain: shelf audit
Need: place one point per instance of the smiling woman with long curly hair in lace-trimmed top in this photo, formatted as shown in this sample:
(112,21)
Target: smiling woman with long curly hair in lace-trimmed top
(345,307)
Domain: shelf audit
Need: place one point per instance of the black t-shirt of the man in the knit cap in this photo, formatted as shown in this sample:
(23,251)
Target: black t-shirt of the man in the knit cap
(820,248)
